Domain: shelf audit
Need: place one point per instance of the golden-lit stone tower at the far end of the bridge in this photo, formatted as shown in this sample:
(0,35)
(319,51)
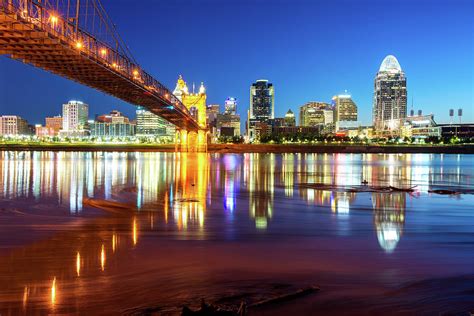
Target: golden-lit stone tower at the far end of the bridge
(195,102)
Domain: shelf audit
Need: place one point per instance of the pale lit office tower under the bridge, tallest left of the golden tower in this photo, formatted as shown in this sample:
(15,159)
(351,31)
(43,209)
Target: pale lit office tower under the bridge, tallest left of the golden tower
(75,114)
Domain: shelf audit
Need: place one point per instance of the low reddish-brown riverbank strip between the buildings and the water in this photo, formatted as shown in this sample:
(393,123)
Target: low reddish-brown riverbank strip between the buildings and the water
(255,148)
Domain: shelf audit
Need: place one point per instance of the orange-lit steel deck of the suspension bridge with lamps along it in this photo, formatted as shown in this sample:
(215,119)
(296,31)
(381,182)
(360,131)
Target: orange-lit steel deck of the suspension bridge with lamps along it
(28,40)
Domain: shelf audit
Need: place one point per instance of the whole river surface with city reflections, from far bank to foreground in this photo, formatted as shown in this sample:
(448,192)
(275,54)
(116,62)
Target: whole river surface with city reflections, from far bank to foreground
(230,227)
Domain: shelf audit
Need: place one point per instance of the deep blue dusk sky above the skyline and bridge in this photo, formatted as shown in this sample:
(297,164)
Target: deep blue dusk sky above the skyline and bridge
(309,50)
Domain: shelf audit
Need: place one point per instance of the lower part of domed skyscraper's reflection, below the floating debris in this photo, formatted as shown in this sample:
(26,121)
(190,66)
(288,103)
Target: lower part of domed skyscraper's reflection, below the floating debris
(389,218)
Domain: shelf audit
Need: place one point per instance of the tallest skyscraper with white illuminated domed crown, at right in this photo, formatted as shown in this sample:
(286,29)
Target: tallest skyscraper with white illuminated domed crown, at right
(390,95)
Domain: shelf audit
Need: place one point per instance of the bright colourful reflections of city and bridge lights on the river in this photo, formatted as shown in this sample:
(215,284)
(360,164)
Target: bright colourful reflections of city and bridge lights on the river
(193,196)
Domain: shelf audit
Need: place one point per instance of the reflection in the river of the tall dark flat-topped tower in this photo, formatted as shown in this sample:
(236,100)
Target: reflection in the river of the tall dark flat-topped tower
(259,170)
